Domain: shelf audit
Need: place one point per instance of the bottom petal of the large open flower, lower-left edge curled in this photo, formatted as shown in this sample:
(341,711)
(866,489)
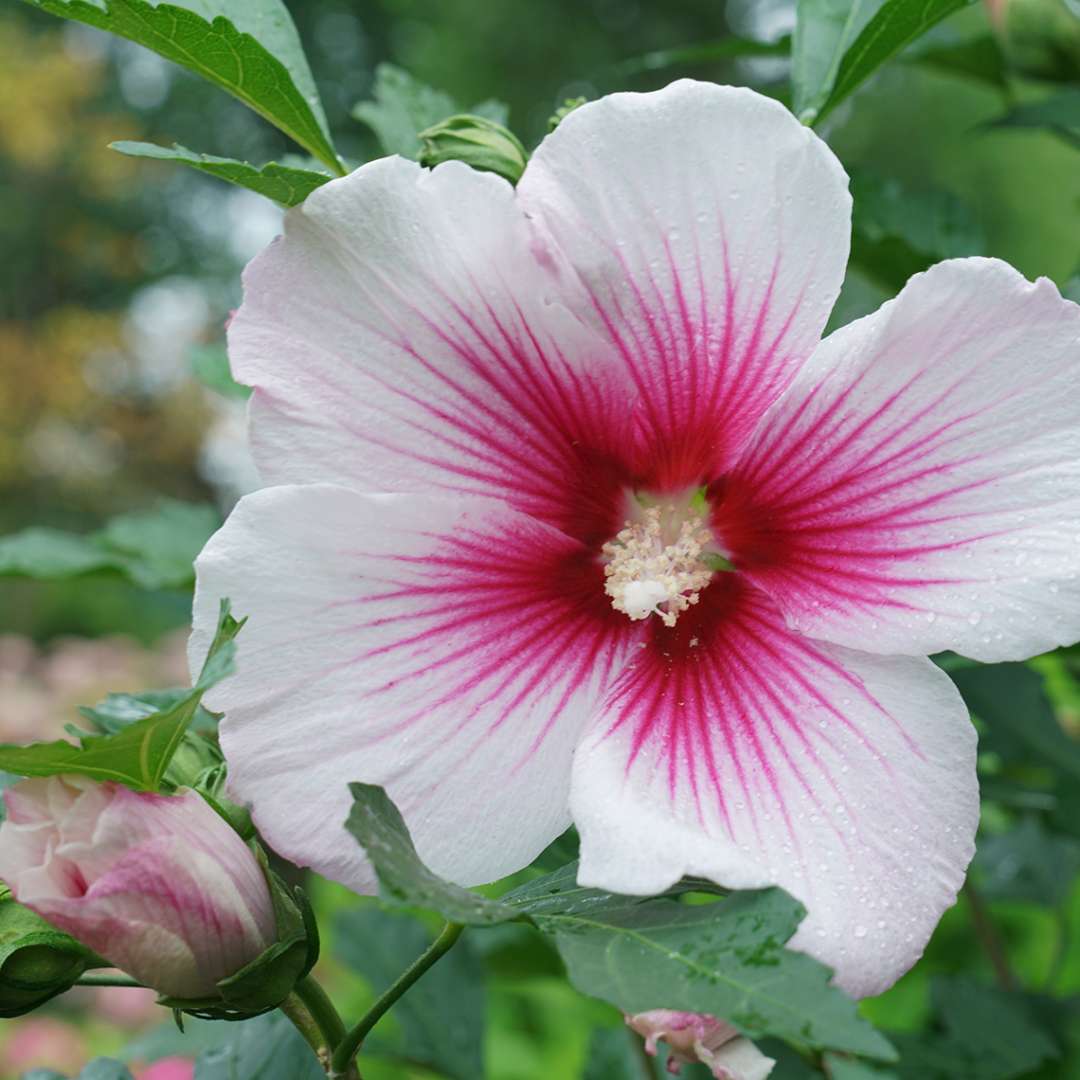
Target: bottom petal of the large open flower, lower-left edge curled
(749,755)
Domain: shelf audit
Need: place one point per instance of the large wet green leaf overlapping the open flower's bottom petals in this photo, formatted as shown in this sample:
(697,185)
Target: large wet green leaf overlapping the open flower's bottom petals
(727,958)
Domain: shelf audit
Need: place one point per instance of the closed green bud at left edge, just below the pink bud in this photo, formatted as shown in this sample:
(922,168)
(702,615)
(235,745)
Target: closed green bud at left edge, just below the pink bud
(37,962)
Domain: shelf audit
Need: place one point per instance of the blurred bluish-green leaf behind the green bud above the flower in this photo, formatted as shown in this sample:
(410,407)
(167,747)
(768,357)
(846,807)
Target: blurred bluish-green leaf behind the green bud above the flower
(404,107)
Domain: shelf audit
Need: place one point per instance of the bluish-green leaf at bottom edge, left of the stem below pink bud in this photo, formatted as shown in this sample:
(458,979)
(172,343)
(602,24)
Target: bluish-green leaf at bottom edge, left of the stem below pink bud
(267,1048)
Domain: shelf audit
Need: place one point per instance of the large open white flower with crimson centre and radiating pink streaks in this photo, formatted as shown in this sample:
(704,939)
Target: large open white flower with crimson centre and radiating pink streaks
(573,518)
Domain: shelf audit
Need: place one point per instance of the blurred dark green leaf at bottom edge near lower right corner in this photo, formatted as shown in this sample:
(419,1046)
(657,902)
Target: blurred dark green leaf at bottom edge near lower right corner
(985,1035)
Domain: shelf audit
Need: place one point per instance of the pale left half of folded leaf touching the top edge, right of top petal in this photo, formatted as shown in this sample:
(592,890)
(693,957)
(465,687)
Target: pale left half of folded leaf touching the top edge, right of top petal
(825,31)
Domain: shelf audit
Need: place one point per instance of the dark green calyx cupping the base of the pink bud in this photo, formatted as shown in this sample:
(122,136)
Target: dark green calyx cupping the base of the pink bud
(264,983)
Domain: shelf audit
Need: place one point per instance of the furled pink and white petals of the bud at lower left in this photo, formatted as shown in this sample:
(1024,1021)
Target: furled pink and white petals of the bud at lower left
(159,886)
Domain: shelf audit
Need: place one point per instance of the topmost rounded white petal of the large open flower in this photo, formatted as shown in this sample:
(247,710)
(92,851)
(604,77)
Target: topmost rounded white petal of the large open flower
(710,229)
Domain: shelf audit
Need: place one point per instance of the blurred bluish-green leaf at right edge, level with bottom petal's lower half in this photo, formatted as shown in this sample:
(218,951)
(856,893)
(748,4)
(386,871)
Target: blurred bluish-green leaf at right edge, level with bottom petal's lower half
(1028,863)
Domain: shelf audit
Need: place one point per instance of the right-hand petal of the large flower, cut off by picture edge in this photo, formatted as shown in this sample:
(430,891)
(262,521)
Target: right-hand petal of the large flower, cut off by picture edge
(919,487)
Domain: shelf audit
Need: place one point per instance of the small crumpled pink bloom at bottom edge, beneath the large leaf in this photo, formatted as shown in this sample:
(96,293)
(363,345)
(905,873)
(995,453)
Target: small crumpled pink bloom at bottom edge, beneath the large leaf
(695,1037)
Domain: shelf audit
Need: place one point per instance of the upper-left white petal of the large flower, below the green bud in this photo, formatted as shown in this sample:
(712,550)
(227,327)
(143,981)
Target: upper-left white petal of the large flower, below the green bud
(406,335)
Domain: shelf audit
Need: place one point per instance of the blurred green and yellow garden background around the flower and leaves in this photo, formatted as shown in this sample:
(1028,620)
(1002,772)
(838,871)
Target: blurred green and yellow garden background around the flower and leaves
(117,277)
